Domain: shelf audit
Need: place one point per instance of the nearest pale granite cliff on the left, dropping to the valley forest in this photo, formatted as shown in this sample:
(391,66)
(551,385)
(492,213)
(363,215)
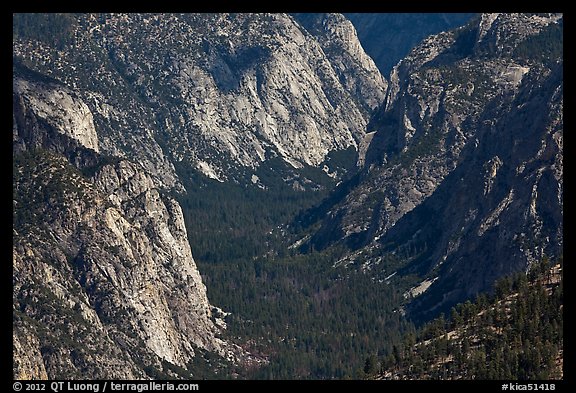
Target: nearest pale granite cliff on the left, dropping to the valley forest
(105,285)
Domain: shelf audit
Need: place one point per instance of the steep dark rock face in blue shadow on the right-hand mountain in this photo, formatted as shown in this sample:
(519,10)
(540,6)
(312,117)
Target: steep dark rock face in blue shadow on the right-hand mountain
(510,215)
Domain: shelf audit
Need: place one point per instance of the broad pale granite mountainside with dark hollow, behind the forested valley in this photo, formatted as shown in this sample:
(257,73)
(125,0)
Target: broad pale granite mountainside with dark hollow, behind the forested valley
(221,93)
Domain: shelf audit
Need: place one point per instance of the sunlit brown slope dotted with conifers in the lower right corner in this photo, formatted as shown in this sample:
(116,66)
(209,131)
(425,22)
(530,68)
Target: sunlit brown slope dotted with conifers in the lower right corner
(514,334)
